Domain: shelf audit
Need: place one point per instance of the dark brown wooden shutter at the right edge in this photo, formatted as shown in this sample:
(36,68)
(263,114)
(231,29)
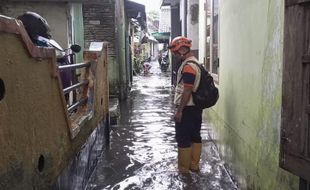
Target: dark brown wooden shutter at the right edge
(294,148)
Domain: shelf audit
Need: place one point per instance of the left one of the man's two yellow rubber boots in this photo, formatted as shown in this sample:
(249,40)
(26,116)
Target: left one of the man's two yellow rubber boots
(184,159)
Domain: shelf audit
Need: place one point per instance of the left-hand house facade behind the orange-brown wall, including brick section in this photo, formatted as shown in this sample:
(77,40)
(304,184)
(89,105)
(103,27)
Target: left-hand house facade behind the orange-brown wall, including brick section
(82,22)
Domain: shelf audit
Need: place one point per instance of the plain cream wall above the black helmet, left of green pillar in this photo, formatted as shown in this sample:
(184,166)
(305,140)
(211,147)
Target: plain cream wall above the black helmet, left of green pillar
(58,22)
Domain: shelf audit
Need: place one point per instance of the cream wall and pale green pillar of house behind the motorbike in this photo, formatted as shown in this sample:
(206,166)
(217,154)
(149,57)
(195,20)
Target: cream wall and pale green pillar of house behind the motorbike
(64,18)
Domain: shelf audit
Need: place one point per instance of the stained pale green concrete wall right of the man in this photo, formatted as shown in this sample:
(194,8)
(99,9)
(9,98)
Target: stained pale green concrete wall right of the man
(247,115)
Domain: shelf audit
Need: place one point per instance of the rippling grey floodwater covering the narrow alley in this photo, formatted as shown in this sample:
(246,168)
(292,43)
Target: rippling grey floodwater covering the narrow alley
(142,152)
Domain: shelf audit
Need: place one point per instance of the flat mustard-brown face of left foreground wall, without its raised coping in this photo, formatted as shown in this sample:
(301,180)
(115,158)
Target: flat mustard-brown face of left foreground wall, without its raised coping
(30,137)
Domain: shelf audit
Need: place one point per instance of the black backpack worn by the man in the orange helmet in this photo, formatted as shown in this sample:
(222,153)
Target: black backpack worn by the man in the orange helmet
(206,94)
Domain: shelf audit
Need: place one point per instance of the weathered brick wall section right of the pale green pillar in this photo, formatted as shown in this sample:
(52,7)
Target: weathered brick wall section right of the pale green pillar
(99,24)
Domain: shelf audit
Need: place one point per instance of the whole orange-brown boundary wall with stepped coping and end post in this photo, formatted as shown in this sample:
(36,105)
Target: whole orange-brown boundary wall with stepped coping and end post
(36,145)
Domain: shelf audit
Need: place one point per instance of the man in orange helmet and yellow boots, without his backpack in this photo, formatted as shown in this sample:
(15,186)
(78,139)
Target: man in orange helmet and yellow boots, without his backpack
(187,116)
